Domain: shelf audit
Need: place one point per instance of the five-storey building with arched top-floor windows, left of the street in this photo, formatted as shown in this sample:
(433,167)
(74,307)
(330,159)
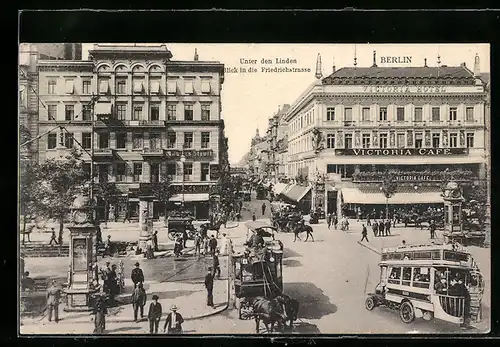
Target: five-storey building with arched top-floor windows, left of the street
(150,112)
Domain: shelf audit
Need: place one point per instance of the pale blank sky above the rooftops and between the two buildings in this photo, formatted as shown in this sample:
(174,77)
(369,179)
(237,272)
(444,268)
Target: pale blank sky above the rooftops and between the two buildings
(248,100)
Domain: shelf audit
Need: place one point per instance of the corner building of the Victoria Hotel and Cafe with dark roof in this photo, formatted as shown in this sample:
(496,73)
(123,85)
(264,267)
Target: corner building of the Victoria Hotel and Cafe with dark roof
(347,129)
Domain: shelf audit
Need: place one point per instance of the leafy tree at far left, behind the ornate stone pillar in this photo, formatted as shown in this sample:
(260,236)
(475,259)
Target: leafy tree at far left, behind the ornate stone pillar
(60,181)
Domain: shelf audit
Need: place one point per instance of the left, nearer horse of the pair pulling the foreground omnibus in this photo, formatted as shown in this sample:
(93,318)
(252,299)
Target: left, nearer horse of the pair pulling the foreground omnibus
(269,311)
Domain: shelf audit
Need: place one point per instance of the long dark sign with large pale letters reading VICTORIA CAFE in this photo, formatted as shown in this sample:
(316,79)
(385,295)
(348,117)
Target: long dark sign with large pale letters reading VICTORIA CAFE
(402,152)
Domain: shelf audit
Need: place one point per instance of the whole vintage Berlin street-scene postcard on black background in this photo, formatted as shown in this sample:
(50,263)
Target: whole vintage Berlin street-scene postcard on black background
(254,189)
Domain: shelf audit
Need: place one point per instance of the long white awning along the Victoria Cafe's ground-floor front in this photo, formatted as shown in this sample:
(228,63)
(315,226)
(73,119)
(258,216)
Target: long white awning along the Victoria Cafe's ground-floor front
(404,195)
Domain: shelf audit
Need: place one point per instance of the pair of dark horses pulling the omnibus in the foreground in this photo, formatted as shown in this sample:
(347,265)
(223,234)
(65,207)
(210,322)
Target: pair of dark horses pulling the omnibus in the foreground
(278,310)
